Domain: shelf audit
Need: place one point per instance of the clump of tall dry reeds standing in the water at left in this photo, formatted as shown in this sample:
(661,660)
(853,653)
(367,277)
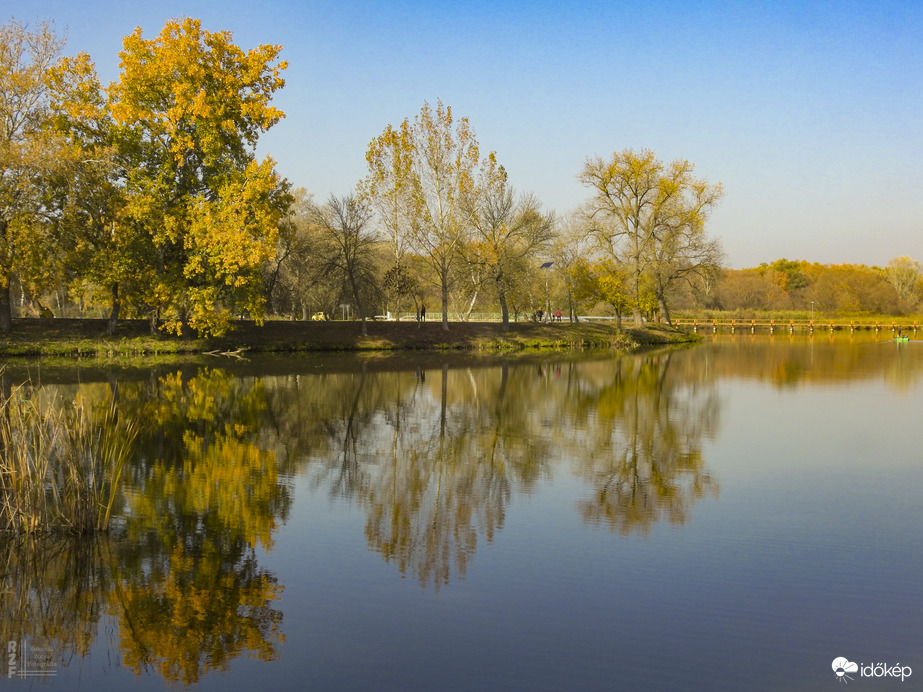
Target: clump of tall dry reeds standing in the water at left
(60,464)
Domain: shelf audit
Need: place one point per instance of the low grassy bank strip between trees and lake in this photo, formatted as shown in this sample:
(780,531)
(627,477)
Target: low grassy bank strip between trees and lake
(88,338)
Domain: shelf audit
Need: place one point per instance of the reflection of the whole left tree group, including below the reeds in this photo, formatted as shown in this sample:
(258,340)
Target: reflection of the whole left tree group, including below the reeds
(179,571)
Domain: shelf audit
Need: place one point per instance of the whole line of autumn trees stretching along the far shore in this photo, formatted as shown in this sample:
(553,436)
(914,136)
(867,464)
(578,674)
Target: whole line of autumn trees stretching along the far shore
(145,199)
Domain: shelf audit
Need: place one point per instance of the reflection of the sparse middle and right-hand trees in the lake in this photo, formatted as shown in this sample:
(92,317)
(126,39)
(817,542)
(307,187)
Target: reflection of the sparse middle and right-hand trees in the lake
(434,460)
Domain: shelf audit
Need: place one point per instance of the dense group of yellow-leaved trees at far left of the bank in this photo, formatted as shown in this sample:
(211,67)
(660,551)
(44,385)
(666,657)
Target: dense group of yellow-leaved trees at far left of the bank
(147,192)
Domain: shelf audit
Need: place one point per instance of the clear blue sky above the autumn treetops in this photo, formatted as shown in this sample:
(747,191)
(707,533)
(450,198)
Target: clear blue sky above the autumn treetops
(809,113)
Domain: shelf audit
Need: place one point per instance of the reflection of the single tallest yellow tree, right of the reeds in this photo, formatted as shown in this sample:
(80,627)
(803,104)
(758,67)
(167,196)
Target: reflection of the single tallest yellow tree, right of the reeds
(204,495)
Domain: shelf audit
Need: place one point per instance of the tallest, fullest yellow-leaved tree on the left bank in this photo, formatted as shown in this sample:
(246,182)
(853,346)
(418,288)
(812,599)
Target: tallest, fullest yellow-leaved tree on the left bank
(190,107)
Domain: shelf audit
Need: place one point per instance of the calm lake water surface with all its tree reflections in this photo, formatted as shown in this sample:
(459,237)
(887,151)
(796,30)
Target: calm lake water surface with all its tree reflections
(730,516)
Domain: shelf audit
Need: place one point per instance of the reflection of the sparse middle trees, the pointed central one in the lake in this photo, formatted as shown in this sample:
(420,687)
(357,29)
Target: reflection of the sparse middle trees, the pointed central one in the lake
(432,458)
